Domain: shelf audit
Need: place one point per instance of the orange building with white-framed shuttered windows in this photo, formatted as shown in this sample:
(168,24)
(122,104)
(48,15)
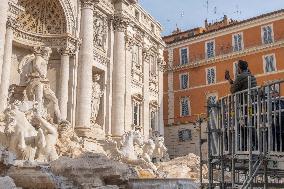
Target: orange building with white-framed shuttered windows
(197,60)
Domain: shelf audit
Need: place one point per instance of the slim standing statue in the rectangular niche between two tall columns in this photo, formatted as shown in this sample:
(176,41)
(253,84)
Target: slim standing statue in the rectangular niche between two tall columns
(96,97)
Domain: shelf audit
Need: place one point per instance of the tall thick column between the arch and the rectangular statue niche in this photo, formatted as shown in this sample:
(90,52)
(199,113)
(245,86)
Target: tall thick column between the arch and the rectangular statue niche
(86,58)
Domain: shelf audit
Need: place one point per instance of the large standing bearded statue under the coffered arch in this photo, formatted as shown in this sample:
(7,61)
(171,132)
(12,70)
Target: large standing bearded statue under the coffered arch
(38,88)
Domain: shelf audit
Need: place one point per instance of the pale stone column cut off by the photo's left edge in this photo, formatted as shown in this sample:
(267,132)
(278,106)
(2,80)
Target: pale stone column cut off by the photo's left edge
(4,15)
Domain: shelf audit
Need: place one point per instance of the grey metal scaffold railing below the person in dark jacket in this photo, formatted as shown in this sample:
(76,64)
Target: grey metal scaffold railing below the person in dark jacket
(246,135)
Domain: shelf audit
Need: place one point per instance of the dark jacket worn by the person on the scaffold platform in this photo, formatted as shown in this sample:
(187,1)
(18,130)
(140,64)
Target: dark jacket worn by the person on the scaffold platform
(241,82)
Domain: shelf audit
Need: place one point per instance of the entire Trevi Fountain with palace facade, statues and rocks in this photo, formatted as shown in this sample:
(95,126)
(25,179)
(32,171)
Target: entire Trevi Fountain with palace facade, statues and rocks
(81,98)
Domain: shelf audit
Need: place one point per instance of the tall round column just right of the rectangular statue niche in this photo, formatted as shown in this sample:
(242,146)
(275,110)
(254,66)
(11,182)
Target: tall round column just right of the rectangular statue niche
(118,90)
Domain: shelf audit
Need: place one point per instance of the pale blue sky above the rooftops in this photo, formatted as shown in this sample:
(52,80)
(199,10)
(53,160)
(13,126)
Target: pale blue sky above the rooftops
(187,14)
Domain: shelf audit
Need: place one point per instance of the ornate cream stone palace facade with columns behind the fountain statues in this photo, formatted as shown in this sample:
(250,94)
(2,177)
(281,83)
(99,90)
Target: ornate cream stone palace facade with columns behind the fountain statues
(106,65)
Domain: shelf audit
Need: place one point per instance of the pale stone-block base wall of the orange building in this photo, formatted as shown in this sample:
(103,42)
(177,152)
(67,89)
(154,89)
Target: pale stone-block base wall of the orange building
(177,148)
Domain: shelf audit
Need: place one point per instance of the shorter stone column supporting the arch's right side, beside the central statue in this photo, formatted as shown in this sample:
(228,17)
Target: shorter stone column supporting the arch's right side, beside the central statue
(64,81)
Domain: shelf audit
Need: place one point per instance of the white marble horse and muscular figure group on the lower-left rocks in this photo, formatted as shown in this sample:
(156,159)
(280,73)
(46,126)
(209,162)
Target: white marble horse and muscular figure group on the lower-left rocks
(24,140)
